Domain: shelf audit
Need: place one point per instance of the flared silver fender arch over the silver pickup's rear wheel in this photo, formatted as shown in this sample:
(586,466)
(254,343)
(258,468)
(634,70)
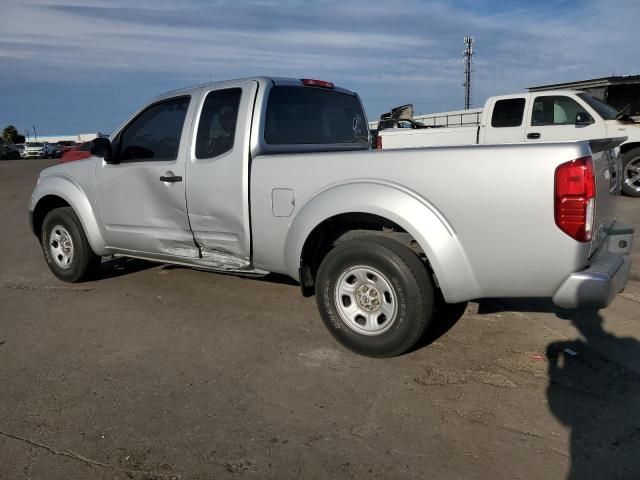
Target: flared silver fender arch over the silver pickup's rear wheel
(419,218)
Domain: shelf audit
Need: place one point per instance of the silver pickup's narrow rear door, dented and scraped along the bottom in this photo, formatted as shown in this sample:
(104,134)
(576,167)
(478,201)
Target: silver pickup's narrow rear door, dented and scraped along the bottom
(218,173)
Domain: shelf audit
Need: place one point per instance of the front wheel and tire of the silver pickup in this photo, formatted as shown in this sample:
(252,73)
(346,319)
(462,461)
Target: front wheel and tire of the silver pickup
(63,224)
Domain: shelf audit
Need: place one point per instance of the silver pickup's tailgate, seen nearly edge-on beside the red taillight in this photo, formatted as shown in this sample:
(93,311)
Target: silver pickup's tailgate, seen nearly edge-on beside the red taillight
(607,170)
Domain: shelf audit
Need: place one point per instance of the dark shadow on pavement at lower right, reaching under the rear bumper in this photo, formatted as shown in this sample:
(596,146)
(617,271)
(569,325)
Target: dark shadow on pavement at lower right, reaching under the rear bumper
(597,399)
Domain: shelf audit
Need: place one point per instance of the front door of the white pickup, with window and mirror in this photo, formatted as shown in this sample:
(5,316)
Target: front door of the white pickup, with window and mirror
(556,117)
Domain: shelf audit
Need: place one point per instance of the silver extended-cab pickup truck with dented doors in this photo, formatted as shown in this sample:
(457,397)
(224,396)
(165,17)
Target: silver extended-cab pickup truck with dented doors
(276,175)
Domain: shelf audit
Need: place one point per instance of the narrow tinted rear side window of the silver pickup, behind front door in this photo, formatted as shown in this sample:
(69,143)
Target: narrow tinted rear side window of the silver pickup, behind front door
(217,126)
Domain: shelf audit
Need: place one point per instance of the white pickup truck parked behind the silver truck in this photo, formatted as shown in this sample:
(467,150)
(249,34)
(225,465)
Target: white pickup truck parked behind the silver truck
(559,115)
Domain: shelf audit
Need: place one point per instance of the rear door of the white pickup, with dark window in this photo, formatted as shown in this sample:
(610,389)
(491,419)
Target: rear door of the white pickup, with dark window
(504,120)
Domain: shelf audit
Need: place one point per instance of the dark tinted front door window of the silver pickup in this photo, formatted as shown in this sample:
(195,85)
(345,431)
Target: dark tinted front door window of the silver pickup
(155,133)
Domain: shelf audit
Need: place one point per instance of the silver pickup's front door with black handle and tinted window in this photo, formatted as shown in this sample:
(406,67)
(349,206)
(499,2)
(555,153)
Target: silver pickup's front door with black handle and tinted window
(141,199)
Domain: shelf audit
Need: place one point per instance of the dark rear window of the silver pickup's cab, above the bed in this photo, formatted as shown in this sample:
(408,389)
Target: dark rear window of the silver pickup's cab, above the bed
(312,116)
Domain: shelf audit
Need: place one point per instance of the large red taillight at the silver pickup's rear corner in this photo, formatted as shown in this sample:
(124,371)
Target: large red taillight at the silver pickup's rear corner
(575,198)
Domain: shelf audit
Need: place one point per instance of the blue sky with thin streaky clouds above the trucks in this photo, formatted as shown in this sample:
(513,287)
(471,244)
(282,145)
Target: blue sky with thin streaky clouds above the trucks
(71,66)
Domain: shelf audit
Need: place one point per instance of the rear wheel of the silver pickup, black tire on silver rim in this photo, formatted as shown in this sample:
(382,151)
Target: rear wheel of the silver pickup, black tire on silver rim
(404,282)
